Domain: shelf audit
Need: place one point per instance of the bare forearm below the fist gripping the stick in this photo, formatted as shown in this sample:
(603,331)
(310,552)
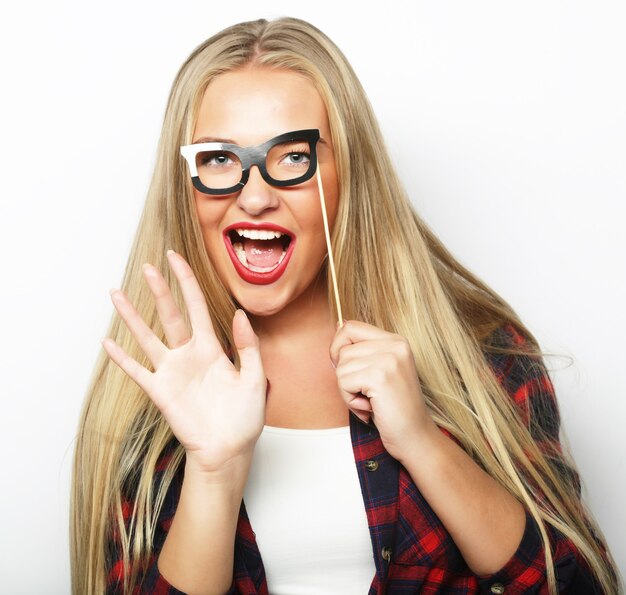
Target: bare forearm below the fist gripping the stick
(485,521)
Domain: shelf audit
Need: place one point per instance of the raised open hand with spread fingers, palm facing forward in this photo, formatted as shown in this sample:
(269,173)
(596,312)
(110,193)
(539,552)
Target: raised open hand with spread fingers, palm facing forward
(215,411)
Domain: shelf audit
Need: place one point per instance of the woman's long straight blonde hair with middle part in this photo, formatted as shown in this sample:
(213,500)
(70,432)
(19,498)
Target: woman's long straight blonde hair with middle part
(393,273)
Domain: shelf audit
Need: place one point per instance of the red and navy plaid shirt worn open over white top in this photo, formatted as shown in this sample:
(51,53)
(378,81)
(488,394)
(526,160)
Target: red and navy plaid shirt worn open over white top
(412,550)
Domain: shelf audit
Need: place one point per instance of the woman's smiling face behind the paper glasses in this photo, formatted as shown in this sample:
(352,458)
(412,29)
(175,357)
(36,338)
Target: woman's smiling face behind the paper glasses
(265,273)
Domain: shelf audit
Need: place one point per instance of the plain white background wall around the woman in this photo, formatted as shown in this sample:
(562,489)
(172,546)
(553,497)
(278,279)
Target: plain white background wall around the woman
(507,121)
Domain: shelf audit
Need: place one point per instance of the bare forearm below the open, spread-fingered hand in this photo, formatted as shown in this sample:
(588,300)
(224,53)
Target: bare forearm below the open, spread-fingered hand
(197,556)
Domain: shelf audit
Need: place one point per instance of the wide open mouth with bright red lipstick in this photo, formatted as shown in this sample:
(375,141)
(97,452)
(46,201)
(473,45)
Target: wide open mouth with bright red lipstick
(259,253)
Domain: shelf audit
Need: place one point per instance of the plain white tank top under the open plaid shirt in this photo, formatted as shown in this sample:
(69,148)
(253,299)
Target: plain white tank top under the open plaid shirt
(305,506)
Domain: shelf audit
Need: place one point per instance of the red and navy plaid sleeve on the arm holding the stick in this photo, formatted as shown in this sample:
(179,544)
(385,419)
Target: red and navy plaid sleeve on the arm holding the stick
(526,380)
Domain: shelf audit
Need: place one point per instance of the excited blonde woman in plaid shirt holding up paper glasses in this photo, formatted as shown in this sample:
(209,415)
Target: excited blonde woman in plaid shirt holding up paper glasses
(230,368)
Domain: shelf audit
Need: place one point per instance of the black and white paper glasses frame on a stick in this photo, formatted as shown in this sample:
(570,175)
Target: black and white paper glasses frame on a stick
(250,156)
